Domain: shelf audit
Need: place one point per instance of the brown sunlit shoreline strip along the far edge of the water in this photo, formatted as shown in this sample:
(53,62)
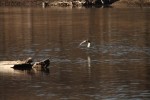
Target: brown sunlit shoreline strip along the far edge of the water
(73,4)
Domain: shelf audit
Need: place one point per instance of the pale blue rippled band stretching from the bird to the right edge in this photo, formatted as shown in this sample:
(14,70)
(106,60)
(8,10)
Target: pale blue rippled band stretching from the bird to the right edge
(120,50)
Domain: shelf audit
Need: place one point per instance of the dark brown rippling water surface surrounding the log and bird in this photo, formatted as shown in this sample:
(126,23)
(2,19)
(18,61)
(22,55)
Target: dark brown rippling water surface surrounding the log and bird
(115,67)
